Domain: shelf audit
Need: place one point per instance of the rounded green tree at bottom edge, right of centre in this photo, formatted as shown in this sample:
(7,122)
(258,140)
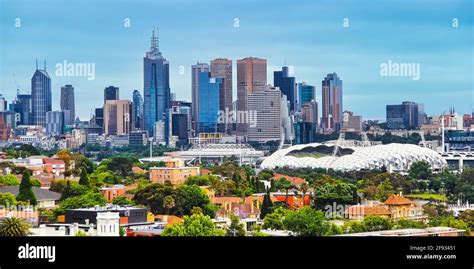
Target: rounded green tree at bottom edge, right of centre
(308,222)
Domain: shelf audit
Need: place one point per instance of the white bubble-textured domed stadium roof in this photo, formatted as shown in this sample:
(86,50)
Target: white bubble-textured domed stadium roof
(395,157)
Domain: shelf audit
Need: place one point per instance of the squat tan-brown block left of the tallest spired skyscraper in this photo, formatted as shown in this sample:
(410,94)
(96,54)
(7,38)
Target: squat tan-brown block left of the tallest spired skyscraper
(118,117)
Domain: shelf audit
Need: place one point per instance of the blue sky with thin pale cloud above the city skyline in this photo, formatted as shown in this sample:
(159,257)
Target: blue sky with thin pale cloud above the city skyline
(308,35)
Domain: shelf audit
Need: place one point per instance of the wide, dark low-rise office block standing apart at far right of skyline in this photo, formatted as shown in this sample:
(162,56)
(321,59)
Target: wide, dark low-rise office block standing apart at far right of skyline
(404,116)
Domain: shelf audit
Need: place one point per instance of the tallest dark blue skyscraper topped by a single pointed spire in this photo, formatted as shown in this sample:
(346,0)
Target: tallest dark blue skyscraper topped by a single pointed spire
(156,86)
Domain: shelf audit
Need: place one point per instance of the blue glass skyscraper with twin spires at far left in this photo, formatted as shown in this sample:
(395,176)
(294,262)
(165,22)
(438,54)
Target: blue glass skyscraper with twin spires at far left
(40,96)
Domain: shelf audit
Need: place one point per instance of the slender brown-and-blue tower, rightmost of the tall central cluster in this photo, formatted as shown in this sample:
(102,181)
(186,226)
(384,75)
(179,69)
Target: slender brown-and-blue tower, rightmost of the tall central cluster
(331,102)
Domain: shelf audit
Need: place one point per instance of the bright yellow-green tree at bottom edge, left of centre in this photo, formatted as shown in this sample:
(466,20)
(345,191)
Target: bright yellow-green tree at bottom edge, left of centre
(195,225)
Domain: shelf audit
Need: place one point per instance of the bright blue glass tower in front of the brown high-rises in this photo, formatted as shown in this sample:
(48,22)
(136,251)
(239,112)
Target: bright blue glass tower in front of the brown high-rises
(209,91)
